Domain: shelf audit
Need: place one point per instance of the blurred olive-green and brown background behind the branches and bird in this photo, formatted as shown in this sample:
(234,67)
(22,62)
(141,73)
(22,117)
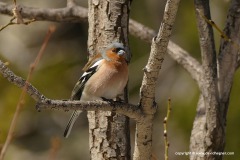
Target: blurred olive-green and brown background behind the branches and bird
(39,134)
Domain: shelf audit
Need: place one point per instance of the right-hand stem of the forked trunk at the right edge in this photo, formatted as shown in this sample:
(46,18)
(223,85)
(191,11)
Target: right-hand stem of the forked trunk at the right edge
(228,55)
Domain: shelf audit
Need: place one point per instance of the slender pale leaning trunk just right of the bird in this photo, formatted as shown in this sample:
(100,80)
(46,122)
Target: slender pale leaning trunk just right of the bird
(143,140)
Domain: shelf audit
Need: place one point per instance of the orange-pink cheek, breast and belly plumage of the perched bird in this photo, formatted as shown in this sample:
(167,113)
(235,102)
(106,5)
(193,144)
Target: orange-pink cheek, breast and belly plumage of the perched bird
(110,79)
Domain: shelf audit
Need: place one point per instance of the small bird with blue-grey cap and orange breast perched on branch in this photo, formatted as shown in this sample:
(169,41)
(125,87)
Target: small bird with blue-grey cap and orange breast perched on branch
(105,77)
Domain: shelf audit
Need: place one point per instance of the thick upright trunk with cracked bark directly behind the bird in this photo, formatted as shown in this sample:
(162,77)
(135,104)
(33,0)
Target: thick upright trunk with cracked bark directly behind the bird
(108,131)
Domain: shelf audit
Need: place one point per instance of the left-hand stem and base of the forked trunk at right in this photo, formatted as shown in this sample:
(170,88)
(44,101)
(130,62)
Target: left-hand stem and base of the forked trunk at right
(213,137)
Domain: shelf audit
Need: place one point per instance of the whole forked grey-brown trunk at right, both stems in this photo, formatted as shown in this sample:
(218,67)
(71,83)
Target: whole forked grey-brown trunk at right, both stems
(208,134)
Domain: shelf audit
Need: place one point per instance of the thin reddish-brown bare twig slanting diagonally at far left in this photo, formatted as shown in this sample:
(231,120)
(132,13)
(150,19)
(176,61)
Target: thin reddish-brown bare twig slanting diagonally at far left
(23,94)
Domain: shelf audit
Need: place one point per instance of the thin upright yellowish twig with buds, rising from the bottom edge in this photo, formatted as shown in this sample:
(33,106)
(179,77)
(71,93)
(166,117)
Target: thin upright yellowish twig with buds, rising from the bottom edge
(165,121)
